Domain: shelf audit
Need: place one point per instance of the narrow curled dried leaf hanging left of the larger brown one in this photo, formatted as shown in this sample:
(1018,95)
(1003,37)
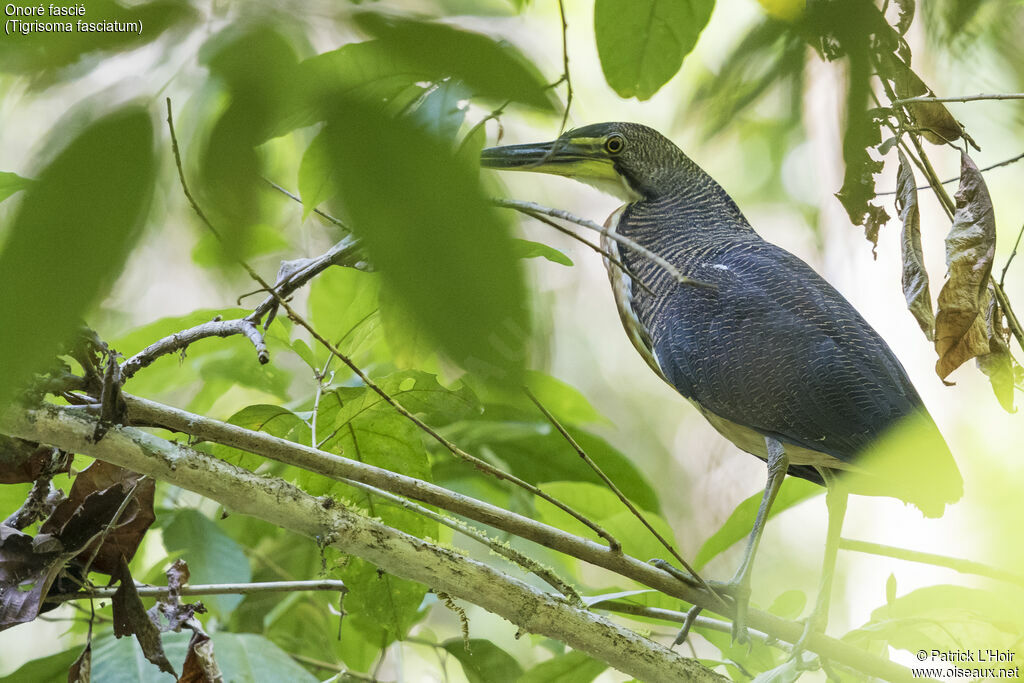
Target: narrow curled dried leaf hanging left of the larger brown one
(919,300)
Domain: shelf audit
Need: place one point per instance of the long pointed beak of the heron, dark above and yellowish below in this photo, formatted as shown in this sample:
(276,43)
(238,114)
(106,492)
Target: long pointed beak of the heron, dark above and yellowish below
(577,158)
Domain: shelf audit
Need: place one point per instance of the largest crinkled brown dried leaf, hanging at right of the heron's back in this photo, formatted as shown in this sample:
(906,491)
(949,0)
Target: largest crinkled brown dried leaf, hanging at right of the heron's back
(961,332)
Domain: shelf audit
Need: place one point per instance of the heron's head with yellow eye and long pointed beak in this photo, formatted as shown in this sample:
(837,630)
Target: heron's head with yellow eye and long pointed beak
(626,160)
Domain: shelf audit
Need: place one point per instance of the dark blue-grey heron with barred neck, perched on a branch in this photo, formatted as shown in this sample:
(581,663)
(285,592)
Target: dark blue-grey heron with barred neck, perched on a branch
(771,354)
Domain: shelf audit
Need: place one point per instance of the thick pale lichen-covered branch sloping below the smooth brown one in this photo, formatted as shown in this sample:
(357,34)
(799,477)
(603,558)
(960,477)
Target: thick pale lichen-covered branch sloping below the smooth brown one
(396,552)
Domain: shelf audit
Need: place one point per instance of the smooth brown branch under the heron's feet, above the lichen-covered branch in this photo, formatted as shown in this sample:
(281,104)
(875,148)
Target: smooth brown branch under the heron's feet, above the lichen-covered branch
(145,412)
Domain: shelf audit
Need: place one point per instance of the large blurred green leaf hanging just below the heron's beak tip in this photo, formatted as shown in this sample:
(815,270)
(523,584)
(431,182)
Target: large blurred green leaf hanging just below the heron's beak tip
(440,245)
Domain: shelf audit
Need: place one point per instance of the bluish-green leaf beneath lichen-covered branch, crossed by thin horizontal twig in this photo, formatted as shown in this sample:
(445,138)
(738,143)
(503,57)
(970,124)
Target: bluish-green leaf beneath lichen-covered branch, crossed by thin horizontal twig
(214,558)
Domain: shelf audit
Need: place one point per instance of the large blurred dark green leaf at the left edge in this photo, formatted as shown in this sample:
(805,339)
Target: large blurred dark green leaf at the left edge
(77,225)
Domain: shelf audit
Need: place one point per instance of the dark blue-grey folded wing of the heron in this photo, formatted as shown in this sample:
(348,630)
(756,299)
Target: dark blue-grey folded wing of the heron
(778,350)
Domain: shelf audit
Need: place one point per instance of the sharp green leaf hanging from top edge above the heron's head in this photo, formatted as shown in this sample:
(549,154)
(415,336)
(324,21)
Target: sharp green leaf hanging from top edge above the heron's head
(643,42)
